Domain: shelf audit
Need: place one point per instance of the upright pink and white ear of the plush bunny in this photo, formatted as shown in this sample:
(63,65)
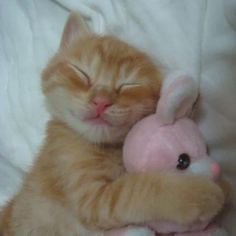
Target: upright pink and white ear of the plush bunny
(177,98)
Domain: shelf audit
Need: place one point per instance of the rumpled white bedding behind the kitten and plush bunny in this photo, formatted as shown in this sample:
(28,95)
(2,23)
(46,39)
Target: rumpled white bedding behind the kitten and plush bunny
(196,37)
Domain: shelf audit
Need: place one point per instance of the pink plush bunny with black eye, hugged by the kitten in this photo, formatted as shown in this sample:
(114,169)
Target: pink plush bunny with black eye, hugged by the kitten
(167,142)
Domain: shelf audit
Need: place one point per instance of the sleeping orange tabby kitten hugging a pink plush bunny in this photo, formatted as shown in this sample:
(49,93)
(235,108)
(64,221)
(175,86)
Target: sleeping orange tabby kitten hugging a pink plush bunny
(96,88)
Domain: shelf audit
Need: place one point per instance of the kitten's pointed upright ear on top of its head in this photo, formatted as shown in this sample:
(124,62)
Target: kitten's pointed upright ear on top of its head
(75,28)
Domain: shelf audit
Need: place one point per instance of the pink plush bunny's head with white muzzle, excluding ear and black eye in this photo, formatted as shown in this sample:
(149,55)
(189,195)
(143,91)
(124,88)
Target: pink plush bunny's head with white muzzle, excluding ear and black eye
(150,145)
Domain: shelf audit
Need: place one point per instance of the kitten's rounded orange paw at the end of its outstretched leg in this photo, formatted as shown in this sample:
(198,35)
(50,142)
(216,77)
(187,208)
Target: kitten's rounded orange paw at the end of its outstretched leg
(193,198)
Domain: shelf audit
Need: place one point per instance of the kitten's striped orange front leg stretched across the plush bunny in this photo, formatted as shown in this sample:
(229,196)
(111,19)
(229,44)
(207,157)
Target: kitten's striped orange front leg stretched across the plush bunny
(134,198)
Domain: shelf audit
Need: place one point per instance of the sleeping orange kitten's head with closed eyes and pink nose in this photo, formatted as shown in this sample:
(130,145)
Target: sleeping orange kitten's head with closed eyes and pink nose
(99,86)
